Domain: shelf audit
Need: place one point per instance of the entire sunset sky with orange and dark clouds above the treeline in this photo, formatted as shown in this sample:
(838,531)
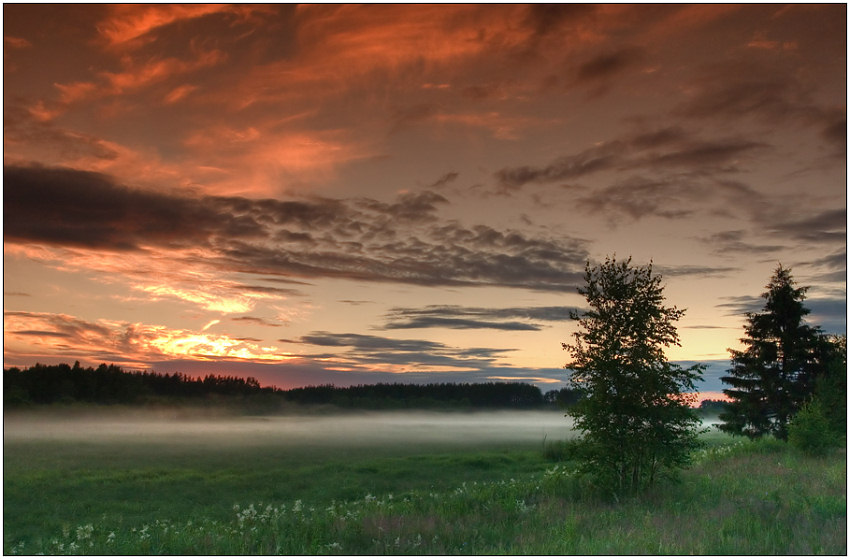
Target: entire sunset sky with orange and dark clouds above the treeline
(409,193)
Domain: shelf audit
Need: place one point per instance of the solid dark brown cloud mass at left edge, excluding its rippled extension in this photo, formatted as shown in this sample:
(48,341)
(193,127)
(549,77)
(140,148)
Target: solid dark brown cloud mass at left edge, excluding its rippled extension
(79,208)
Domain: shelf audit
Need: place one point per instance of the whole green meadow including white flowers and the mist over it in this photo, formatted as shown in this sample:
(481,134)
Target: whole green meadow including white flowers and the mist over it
(391,484)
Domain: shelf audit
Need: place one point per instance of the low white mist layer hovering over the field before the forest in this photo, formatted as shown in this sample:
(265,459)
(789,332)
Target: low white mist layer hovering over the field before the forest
(343,429)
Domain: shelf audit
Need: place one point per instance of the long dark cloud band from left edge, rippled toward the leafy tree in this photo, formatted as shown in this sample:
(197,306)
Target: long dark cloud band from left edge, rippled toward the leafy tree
(404,241)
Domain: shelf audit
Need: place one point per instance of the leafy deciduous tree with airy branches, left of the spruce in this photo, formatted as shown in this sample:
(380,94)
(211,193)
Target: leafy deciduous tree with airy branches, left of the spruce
(635,419)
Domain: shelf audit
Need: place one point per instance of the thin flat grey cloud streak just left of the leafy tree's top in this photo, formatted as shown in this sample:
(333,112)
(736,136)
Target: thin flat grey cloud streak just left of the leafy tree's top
(458,317)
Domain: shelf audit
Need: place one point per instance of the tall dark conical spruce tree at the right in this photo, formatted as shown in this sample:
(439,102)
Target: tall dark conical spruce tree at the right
(775,373)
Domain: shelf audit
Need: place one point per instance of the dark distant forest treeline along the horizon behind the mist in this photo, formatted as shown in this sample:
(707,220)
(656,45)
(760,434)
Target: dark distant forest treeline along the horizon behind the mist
(109,384)
